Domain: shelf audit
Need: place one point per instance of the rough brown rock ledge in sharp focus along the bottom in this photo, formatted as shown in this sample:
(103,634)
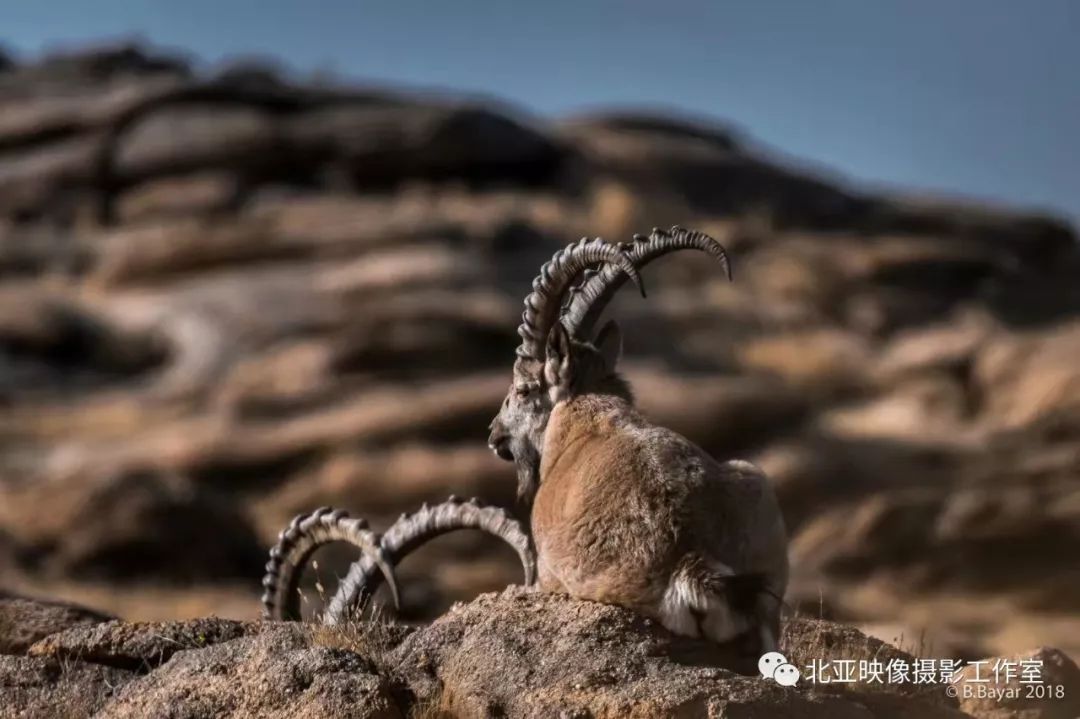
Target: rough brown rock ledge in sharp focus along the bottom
(511,655)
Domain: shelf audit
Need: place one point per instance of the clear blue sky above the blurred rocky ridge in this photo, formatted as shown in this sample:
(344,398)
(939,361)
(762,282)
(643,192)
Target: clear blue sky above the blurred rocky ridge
(975,98)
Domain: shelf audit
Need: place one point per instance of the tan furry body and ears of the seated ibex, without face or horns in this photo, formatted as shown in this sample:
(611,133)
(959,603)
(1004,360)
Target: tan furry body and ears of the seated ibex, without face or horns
(633,514)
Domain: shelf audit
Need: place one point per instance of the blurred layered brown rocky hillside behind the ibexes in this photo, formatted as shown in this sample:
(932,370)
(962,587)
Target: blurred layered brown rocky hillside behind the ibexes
(231,297)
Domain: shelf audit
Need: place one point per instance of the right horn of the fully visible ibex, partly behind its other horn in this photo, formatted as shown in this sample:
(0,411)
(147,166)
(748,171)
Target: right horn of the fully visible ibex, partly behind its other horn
(589,301)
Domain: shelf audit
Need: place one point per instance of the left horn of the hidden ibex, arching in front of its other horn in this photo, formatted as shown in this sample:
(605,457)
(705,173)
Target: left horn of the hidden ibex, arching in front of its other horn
(306,534)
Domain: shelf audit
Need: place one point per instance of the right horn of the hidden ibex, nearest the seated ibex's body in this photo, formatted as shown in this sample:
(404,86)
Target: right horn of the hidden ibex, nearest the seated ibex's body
(413,531)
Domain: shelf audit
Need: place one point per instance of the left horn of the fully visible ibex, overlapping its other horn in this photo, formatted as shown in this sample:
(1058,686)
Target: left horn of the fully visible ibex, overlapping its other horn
(544,304)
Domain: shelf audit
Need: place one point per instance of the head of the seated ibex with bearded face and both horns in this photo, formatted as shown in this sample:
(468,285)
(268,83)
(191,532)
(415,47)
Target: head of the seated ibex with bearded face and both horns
(539,376)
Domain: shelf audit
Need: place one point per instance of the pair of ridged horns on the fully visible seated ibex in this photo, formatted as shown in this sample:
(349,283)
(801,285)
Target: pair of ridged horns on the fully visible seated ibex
(545,305)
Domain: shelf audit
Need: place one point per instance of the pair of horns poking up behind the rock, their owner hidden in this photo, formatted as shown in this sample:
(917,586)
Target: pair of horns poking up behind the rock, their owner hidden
(281,598)
